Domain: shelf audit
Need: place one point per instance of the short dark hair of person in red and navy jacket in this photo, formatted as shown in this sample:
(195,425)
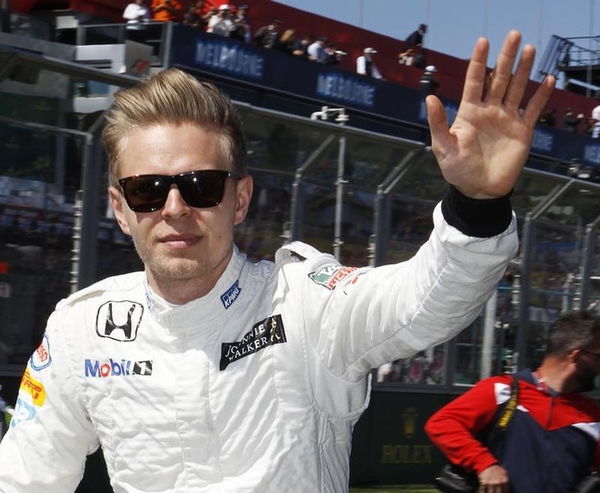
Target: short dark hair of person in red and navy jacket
(572,330)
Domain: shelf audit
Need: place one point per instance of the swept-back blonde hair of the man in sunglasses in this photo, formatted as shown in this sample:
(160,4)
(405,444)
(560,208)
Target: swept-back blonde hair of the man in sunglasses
(173,97)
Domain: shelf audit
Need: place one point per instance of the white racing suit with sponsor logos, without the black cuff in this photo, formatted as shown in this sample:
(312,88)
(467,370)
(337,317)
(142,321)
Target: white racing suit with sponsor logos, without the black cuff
(255,387)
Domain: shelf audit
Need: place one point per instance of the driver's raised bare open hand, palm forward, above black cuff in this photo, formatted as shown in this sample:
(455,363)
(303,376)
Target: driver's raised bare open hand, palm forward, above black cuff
(484,151)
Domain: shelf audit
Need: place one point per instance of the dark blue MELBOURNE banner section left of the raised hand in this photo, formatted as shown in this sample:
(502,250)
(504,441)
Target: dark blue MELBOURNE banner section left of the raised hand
(276,71)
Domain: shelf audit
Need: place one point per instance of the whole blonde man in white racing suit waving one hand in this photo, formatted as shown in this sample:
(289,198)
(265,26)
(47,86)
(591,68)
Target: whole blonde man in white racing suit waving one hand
(211,373)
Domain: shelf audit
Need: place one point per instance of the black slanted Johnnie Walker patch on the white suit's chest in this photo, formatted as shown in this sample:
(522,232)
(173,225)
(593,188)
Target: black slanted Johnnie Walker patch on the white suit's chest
(263,334)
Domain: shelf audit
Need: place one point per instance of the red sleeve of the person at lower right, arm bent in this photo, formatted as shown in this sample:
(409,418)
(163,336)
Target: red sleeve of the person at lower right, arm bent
(452,428)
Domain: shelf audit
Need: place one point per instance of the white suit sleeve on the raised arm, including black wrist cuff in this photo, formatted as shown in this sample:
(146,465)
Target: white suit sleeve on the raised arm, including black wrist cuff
(376,315)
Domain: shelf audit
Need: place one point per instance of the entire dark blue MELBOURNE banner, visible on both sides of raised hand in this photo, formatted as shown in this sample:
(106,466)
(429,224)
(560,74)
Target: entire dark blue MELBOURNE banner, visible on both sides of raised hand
(272,70)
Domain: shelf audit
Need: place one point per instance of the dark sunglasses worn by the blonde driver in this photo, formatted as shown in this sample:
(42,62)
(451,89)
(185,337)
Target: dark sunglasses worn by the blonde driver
(148,193)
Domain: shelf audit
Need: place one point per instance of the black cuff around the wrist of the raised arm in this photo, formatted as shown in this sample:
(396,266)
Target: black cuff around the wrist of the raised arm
(481,218)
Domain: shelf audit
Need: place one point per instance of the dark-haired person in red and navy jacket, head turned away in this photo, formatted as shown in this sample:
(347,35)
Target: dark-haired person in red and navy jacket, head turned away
(552,442)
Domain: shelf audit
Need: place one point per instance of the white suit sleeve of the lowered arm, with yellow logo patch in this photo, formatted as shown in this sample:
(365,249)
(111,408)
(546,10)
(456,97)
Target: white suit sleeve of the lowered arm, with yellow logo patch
(50,434)
